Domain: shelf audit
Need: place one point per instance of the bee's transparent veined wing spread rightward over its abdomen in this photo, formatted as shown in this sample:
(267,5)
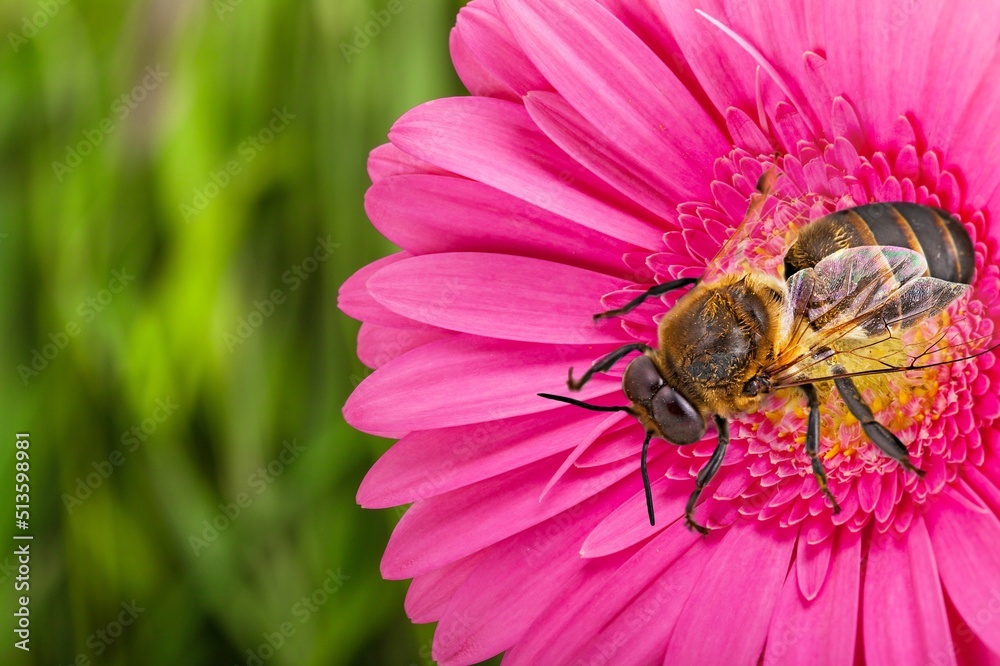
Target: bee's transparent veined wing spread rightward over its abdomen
(868,310)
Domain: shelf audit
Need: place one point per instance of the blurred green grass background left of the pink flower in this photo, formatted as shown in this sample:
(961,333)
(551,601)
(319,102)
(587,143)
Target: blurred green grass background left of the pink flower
(225,67)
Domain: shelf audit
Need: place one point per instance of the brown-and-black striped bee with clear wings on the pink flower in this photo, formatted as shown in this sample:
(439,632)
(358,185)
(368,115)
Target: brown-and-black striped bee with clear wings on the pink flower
(847,299)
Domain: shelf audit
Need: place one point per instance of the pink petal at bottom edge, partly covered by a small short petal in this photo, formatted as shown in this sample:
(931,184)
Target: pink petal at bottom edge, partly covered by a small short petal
(821,632)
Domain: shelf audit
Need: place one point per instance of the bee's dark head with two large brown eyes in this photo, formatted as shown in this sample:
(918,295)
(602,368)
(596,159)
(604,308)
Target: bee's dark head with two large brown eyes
(659,404)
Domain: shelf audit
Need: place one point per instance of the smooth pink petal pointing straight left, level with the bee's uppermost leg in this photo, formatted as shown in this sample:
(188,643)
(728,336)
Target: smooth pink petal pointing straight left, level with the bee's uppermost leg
(500,296)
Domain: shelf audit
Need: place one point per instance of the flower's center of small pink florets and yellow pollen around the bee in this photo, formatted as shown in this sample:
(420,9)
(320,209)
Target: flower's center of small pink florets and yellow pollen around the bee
(931,410)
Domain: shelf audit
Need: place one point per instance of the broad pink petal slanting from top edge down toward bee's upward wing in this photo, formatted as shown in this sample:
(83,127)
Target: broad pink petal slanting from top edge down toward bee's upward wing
(614,81)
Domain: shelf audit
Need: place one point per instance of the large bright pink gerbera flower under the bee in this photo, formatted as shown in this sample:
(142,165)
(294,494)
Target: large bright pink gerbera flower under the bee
(609,146)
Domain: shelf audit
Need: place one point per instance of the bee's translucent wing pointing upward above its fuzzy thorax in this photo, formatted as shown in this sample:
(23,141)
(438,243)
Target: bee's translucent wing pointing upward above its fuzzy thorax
(759,242)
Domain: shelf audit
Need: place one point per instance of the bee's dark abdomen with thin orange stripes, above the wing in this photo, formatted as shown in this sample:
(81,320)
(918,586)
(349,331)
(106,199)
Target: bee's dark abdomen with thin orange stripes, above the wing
(938,236)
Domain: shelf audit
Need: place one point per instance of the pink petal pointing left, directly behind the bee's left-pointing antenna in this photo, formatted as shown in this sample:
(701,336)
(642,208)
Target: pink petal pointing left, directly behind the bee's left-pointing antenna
(471,375)
